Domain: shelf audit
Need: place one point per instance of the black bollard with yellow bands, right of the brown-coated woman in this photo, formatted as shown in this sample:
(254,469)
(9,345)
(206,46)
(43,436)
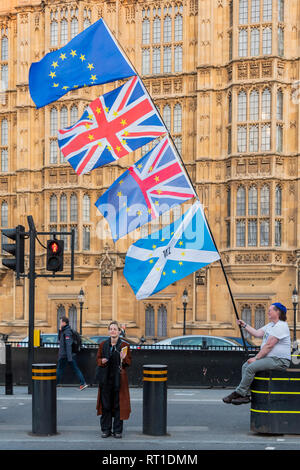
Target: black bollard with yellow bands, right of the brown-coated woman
(155,399)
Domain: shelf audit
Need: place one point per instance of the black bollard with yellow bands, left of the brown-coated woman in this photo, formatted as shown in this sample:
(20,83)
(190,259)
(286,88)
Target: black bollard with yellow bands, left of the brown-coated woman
(44,399)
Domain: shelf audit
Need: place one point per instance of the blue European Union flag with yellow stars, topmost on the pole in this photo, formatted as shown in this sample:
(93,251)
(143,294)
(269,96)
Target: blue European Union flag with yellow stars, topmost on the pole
(91,58)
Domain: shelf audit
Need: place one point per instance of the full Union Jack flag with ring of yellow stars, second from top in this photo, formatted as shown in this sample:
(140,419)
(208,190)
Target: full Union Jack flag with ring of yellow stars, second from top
(112,126)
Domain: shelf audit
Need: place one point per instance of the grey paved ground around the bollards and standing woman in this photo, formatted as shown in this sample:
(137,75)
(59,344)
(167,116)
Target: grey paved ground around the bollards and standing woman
(197,420)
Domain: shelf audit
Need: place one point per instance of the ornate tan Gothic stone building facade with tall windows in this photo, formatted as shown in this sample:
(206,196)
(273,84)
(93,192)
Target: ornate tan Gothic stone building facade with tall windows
(225,76)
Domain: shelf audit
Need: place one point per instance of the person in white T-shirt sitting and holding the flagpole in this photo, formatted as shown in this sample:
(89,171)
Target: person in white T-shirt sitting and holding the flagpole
(275,352)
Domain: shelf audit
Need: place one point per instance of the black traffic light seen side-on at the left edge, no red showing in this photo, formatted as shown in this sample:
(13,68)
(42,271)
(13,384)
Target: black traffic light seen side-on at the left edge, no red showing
(17,249)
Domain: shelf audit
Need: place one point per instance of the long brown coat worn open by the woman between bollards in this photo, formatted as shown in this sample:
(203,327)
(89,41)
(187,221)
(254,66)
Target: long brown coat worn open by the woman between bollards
(124,396)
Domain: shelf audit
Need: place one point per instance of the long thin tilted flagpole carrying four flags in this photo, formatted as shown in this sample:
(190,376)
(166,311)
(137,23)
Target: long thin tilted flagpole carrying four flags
(187,174)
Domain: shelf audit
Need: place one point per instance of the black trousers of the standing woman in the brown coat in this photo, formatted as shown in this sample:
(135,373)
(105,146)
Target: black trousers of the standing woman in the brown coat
(110,408)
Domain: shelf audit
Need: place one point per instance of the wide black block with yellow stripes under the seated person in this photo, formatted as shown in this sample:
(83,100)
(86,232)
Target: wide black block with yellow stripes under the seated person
(275,402)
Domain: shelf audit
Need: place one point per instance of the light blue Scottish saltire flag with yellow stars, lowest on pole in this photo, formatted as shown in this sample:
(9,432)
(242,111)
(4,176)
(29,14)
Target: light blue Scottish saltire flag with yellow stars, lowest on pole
(170,254)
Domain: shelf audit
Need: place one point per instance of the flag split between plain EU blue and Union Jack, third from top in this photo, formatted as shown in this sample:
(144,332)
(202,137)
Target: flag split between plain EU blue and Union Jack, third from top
(156,183)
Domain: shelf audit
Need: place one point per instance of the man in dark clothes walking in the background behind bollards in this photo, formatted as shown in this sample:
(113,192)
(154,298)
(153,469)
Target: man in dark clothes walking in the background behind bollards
(65,354)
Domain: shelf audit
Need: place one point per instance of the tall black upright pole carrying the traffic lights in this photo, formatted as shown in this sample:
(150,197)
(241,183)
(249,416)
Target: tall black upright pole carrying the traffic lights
(31,277)
